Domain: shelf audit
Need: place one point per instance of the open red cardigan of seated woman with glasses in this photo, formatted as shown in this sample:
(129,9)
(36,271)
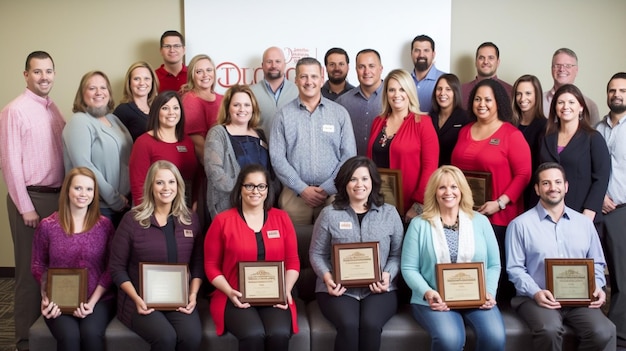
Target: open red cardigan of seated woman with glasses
(230,240)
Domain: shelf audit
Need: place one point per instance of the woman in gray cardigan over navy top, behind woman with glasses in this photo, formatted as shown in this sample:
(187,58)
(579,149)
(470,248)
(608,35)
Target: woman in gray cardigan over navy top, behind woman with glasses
(235,142)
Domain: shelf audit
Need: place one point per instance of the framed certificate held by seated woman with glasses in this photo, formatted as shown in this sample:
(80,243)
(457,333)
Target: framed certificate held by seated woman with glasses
(262,283)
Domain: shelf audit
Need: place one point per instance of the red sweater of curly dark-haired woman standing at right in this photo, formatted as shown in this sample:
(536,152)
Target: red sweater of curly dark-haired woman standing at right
(506,155)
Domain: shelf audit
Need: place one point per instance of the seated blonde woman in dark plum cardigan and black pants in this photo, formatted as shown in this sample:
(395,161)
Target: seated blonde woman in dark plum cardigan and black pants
(160,230)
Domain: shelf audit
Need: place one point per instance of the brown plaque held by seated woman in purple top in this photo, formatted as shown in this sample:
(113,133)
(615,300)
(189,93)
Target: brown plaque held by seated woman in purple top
(67,287)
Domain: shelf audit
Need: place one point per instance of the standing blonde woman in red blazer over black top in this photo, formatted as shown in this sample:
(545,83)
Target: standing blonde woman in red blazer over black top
(404,138)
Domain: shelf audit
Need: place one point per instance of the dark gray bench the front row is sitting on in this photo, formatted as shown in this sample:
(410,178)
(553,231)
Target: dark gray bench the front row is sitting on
(316,333)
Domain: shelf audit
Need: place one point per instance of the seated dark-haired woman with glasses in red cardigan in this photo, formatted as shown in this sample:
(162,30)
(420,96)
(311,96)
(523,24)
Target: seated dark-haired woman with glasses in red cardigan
(251,231)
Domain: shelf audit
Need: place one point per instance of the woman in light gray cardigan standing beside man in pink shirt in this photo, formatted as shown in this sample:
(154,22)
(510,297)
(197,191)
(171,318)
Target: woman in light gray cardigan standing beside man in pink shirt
(96,139)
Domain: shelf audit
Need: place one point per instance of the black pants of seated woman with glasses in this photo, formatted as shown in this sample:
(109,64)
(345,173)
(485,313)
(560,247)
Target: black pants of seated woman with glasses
(259,328)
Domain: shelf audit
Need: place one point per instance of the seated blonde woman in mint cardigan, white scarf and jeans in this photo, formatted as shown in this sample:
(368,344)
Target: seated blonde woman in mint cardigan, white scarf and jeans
(449,231)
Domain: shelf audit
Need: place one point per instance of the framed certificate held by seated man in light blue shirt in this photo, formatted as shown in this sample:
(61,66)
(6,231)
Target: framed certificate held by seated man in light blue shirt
(571,281)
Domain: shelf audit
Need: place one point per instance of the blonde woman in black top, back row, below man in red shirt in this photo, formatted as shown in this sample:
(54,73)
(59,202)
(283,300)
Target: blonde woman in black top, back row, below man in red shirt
(140,89)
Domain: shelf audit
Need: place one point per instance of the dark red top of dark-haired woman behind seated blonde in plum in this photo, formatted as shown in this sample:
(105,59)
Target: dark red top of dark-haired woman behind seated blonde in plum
(148,150)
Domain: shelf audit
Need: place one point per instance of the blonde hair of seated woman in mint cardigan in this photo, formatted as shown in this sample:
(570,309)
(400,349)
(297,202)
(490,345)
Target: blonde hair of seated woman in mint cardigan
(431,206)
